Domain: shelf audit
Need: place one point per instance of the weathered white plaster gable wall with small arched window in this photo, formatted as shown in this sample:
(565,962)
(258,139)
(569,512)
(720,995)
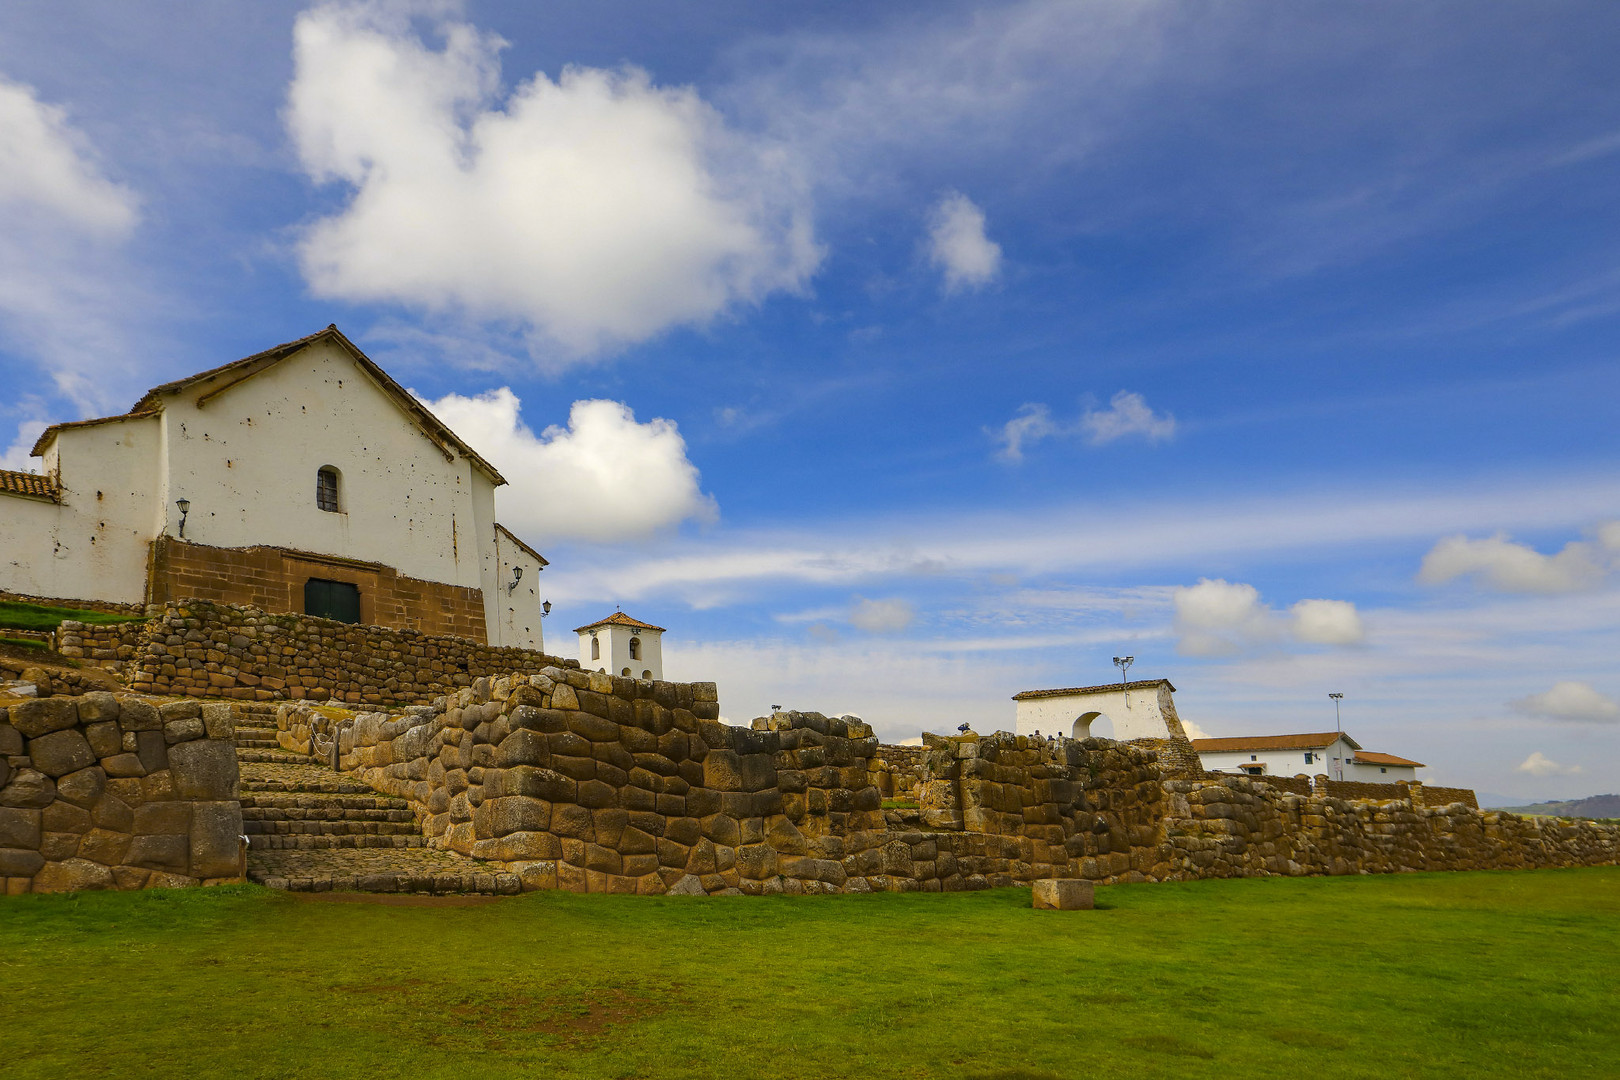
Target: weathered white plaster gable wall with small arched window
(249,462)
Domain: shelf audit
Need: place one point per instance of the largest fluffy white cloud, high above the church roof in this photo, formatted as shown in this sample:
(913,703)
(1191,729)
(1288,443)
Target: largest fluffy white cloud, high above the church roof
(595,210)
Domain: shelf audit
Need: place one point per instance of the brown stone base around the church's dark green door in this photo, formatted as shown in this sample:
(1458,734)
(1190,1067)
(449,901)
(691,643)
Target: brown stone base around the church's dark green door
(273,579)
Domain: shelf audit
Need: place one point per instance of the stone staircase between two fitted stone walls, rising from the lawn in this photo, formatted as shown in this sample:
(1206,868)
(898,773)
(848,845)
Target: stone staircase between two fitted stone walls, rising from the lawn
(312,830)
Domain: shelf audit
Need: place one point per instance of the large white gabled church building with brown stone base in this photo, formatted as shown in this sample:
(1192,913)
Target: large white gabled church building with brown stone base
(297,480)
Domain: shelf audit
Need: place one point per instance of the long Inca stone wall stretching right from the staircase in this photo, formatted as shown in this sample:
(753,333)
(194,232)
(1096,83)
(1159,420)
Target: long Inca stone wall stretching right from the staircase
(589,783)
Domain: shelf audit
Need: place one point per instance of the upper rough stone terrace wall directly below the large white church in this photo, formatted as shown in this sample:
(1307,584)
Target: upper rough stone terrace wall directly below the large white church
(200,648)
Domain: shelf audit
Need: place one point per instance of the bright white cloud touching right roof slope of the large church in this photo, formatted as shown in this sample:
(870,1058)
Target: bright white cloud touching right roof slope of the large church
(602,478)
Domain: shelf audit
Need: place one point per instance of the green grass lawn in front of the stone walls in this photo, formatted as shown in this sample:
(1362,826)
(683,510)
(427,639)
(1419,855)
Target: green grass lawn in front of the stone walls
(1422,976)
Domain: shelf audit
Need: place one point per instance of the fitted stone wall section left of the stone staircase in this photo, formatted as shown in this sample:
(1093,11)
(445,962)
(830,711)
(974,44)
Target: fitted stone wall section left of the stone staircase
(117,793)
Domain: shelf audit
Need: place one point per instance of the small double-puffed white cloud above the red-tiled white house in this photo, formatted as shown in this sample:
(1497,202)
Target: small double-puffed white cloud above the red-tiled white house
(1219,618)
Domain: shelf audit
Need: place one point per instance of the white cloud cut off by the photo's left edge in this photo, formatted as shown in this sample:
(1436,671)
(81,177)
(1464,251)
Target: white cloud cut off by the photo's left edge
(48,164)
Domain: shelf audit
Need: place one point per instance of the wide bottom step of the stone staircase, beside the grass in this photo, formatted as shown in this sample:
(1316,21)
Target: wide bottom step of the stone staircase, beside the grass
(370,870)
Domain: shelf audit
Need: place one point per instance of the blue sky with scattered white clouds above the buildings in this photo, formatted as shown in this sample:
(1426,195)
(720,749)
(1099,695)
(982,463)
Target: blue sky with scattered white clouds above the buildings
(905,362)
